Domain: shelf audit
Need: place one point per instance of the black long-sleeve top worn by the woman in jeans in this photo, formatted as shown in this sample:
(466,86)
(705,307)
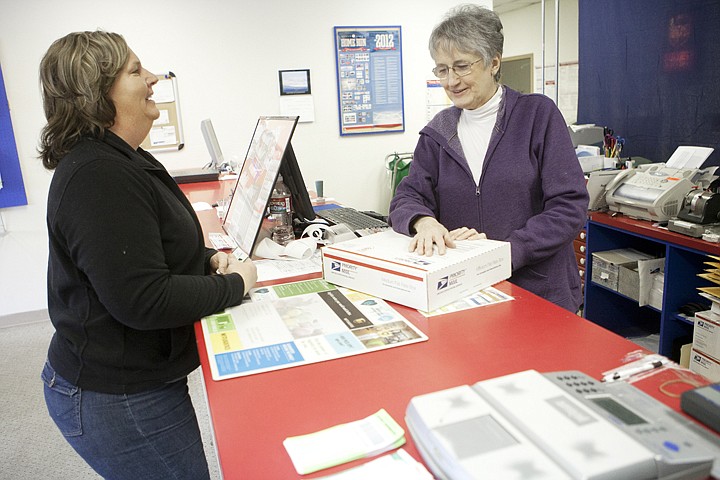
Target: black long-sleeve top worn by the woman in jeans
(128,272)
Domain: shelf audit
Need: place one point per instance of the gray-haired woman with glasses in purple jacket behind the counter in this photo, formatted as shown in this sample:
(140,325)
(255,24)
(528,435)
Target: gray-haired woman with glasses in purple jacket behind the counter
(497,164)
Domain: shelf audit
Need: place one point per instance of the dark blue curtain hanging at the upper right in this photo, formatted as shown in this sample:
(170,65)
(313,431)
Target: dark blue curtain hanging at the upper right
(650,70)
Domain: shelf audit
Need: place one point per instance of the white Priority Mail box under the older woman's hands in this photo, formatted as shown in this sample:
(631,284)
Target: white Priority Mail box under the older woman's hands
(381,265)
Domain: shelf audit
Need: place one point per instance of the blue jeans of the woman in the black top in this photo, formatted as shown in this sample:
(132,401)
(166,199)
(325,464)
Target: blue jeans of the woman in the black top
(152,434)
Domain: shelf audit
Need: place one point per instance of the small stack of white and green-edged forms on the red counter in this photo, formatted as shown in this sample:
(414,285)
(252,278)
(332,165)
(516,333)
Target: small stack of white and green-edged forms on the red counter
(343,443)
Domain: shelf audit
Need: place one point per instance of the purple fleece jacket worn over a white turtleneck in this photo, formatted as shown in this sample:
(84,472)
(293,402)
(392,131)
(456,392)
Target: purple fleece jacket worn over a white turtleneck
(532,191)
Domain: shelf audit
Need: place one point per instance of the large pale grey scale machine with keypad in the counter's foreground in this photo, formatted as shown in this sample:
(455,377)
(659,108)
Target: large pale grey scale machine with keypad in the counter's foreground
(561,425)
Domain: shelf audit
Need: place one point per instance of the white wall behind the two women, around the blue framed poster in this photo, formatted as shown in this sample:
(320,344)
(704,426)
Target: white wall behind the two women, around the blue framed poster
(226,55)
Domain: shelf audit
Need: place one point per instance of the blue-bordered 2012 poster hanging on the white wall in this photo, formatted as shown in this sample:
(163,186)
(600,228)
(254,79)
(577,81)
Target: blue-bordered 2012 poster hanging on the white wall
(369,75)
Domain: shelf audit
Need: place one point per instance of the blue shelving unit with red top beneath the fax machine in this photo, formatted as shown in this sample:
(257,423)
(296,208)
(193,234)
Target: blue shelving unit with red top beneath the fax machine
(684,259)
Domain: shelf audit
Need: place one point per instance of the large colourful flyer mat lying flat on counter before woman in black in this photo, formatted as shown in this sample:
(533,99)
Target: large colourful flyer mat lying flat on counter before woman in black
(300,323)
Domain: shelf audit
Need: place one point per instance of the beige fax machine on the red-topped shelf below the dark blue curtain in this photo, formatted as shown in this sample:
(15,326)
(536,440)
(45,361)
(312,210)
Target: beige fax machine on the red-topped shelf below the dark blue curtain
(654,191)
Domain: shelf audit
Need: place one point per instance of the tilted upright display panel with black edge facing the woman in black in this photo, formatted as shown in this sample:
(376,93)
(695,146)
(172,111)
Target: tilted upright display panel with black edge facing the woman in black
(256,180)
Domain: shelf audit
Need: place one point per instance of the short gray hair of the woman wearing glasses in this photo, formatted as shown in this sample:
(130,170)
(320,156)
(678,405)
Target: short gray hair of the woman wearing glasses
(469,28)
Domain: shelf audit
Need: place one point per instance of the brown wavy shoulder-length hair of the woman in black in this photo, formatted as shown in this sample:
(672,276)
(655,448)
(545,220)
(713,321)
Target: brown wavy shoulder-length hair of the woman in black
(76,74)
